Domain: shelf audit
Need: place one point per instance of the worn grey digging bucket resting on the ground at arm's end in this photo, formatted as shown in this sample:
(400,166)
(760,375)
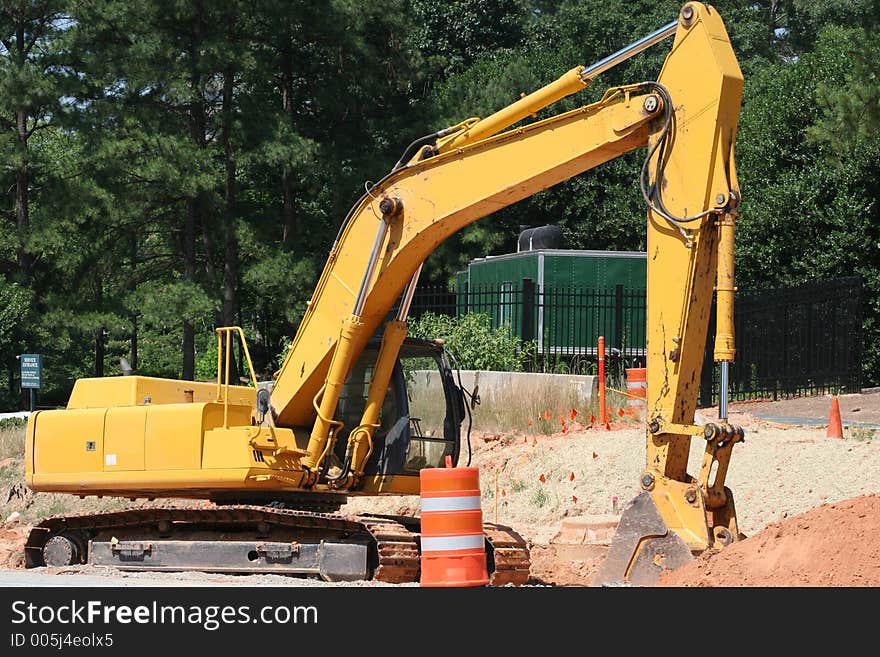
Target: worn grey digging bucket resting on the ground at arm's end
(642,548)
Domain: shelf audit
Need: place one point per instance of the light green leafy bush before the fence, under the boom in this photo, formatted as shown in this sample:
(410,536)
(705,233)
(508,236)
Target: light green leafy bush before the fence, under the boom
(473,341)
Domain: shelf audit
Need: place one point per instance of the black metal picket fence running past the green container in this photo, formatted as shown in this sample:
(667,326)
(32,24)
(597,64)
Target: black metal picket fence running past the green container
(790,342)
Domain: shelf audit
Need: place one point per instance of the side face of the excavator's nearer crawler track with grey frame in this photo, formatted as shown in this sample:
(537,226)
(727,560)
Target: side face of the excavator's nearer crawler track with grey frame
(251,539)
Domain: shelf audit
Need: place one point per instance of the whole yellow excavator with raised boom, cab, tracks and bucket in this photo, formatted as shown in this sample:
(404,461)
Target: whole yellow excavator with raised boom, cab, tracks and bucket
(278,459)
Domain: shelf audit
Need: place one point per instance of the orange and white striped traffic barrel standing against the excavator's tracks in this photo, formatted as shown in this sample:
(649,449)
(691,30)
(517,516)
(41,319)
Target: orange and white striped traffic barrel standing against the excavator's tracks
(453,548)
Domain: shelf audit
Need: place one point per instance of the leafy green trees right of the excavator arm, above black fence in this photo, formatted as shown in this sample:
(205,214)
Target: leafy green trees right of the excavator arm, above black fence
(810,184)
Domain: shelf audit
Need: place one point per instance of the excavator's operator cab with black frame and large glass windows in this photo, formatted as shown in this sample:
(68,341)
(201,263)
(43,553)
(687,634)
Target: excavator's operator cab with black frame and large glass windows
(414,431)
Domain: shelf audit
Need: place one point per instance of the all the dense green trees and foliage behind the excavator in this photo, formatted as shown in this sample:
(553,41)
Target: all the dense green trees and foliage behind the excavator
(173,167)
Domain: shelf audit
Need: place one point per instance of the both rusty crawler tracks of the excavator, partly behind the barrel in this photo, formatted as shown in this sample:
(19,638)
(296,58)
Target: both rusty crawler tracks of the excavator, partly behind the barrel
(334,547)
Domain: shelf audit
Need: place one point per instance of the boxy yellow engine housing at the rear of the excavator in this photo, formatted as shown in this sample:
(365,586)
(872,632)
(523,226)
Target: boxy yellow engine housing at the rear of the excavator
(141,436)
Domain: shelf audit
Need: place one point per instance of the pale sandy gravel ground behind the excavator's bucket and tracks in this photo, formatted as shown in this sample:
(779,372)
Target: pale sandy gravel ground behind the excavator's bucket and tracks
(777,472)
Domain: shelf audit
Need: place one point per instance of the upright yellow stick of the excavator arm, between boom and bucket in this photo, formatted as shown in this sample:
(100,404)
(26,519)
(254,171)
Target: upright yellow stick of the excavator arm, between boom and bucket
(705,83)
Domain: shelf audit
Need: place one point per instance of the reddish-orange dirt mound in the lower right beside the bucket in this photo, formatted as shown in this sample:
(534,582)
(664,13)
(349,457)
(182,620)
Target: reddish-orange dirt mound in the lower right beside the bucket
(830,545)
